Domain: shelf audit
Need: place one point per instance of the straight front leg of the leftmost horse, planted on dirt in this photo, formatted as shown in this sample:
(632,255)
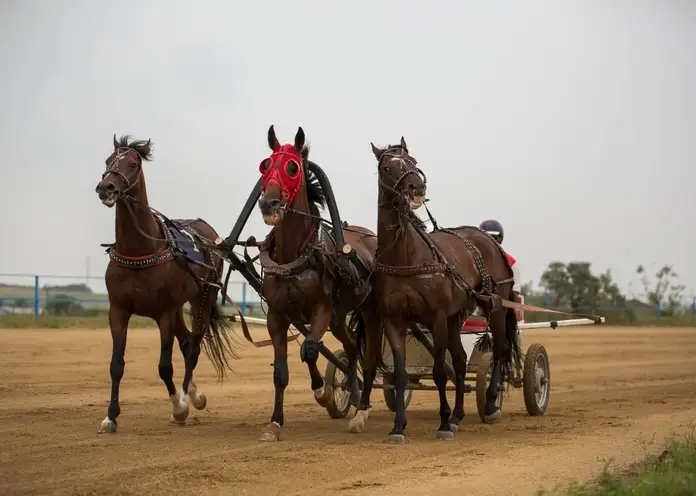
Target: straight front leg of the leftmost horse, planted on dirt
(118,322)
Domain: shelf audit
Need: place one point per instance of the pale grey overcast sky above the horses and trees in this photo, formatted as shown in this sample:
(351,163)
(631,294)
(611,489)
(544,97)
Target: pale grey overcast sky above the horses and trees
(572,123)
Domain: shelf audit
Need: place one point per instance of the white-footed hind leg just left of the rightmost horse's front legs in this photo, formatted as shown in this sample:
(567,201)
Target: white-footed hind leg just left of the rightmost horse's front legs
(368,327)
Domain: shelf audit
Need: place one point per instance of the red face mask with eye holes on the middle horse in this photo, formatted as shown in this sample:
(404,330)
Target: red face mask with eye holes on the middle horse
(284,169)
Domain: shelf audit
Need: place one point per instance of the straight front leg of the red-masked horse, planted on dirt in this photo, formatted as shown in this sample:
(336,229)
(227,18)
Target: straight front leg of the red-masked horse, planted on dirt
(277,330)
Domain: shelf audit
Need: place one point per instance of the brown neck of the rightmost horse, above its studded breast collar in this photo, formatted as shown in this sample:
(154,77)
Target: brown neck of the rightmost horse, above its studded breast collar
(399,247)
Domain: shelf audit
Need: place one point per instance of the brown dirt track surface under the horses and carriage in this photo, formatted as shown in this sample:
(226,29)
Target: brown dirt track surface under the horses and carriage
(616,393)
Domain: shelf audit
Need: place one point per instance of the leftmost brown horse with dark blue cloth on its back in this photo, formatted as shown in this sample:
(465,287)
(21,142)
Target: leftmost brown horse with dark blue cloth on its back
(156,265)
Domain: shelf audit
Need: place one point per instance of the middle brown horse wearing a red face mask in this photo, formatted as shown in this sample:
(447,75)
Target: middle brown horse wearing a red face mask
(304,279)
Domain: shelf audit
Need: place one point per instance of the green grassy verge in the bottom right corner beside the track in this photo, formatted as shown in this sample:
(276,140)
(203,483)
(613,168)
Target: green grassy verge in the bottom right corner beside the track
(671,473)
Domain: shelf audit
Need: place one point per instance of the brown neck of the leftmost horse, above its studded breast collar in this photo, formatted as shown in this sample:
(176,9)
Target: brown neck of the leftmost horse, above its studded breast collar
(129,241)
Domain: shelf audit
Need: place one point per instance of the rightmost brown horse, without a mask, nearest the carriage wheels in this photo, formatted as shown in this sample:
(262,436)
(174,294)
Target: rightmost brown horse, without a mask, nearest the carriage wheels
(435,279)
